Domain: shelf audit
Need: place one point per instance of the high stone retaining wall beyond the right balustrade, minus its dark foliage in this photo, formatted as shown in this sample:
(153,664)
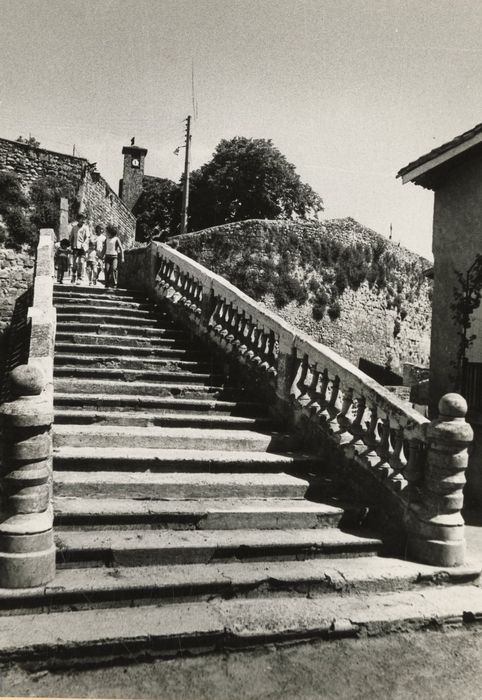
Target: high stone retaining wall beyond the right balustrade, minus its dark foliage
(369,326)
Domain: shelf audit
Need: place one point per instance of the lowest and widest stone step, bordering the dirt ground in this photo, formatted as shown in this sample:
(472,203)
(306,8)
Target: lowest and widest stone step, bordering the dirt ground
(54,640)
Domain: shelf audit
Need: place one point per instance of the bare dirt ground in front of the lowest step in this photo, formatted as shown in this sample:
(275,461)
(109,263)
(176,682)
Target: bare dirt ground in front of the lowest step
(424,665)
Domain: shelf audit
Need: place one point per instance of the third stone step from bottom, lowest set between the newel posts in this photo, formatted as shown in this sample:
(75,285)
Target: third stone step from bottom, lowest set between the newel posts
(170,547)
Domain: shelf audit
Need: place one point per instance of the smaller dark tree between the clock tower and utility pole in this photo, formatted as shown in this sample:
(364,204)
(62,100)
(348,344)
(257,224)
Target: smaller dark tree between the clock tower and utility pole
(156,208)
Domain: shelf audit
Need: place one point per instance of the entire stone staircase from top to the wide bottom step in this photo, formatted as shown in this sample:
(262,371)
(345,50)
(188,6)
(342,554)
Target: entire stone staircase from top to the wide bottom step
(179,500)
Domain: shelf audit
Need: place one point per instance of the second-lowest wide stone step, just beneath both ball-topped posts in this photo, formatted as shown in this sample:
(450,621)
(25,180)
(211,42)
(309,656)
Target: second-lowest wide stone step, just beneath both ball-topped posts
(102,587)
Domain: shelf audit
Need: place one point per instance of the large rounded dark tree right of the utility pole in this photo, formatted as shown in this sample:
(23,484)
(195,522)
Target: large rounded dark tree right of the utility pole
(249,179)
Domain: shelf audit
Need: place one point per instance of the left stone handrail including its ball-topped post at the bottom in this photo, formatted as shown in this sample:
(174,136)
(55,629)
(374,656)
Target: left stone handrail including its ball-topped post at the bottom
(27,551)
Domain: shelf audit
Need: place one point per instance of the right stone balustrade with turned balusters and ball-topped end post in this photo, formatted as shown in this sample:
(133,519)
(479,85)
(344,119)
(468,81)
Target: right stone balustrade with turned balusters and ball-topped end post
(419,464)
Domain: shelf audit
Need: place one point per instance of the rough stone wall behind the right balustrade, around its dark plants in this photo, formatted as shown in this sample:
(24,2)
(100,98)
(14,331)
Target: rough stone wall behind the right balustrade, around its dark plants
(367,327)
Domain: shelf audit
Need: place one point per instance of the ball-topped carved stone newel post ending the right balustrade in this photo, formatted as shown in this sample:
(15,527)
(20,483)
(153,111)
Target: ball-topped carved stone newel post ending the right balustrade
(435,523)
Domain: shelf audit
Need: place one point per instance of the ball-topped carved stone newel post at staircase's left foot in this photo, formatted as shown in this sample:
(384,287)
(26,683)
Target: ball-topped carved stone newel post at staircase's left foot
(27,551)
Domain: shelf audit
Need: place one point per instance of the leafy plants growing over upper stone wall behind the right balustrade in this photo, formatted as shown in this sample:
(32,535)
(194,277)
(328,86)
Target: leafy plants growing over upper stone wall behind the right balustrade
(303,263)
